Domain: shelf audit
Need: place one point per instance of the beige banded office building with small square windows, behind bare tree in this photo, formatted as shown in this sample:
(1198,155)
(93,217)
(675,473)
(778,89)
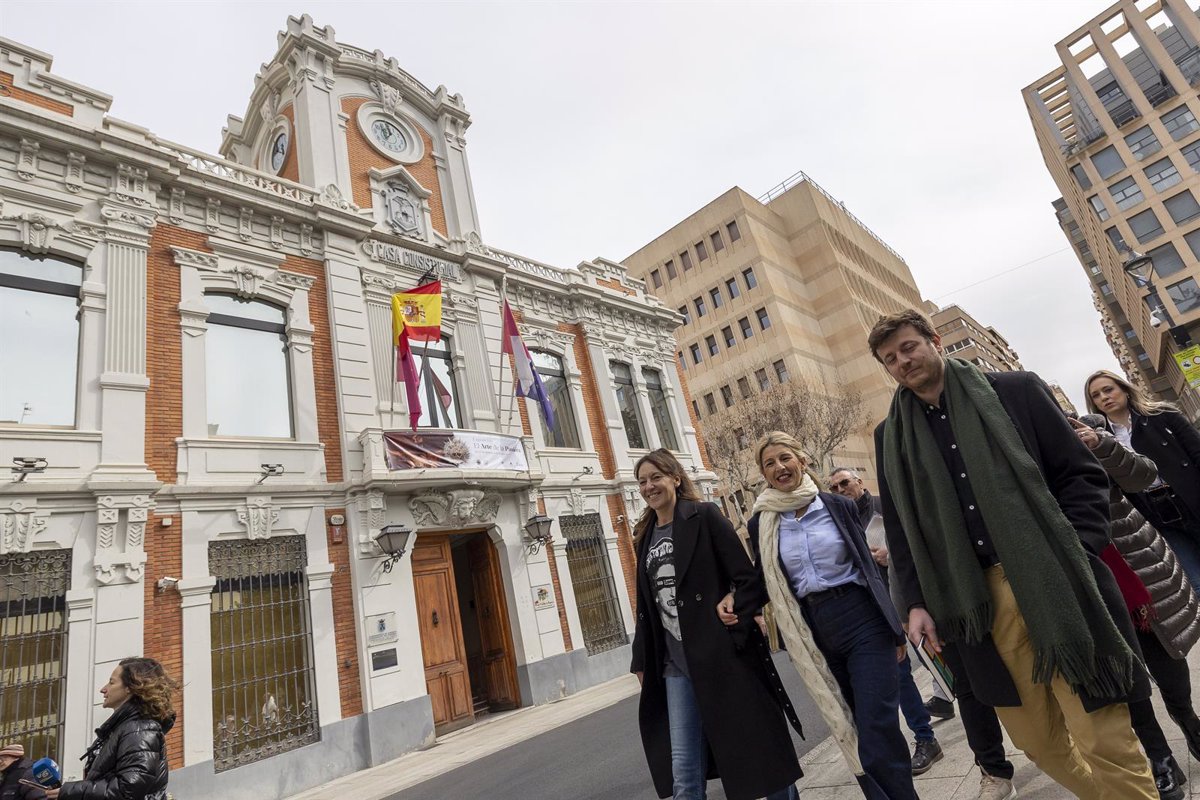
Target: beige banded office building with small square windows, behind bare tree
(771,288)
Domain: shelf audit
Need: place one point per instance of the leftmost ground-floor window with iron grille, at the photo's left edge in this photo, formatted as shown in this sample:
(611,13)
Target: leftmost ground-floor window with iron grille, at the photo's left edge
(33,649)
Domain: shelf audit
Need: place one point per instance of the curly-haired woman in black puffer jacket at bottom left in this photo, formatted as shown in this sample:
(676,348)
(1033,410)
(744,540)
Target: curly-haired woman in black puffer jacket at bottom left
(129,759)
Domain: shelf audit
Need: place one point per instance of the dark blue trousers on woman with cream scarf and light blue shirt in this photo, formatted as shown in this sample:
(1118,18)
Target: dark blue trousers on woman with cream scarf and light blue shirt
(855,637)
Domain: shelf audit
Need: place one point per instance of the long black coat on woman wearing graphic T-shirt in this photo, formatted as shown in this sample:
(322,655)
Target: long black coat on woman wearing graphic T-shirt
(741,697)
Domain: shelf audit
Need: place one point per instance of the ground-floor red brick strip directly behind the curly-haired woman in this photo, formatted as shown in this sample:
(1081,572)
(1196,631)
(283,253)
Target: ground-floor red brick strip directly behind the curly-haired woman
(163,635)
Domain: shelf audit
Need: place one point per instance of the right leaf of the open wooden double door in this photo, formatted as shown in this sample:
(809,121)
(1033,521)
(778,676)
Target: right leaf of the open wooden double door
(500,665)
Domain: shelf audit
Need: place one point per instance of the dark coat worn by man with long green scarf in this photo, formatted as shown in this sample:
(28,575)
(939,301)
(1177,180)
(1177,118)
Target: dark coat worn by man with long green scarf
(1081,486)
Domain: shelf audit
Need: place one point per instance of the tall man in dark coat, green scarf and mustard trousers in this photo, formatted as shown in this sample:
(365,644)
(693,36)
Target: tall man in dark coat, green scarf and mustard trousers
(995,518)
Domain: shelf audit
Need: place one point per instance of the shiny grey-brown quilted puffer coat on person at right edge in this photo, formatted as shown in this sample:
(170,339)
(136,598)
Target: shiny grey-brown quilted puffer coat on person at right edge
(1177,622)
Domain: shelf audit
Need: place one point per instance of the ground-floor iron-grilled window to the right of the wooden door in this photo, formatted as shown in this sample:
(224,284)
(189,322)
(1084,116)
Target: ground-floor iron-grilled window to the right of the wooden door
(596,594)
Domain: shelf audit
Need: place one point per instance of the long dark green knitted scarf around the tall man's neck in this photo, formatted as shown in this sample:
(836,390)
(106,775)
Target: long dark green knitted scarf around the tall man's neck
(1045,562)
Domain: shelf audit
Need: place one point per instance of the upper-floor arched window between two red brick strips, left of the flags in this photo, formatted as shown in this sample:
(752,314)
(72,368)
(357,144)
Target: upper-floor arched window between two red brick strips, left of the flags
(247,369)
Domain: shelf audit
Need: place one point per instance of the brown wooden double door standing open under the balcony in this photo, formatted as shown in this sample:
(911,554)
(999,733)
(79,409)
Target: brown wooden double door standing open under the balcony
(461,635)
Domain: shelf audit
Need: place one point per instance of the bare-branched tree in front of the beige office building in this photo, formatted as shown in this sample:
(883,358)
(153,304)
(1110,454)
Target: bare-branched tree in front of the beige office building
(821,417)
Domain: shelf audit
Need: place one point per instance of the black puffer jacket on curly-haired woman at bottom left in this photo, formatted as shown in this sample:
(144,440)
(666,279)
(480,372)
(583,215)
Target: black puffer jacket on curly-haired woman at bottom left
(127,762)
